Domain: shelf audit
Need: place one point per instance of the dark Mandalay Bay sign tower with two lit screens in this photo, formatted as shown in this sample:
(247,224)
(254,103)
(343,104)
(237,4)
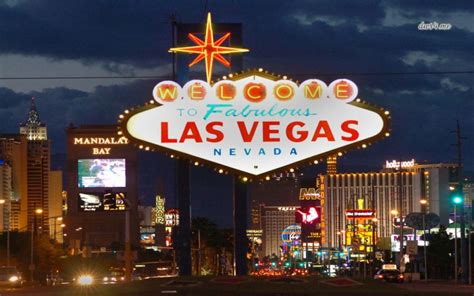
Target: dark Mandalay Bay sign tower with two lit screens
(102,186)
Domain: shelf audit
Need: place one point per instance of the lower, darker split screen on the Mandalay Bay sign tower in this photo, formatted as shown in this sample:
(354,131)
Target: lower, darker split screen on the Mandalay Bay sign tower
(98,202)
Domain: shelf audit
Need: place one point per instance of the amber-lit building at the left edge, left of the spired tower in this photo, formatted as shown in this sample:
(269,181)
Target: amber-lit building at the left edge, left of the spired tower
(13,153)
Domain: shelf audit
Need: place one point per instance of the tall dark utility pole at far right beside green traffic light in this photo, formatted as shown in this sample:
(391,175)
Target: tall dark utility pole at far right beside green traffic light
(464,257)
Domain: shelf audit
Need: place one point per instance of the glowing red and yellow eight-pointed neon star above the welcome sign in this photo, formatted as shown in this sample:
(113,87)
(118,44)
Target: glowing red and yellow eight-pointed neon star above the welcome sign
(208,49)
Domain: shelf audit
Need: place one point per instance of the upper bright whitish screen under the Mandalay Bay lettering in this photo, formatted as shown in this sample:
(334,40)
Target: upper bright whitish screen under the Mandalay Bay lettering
(98,172)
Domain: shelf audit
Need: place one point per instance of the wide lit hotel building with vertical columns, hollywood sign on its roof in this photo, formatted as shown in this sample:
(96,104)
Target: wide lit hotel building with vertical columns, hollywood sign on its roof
(381,192)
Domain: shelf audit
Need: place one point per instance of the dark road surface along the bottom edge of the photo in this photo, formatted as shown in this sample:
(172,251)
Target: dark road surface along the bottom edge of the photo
(224,286)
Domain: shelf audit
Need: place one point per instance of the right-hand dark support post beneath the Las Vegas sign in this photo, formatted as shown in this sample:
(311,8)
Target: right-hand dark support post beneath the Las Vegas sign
(240,226)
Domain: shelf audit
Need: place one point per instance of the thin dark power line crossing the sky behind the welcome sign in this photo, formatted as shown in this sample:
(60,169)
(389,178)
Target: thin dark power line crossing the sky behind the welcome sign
(315,74)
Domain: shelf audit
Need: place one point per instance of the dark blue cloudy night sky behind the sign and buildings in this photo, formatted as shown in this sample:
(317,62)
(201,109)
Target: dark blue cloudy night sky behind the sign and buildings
(377,44)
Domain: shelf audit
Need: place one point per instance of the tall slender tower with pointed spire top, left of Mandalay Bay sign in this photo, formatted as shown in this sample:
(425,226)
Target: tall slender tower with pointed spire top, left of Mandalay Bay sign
(38,166)
